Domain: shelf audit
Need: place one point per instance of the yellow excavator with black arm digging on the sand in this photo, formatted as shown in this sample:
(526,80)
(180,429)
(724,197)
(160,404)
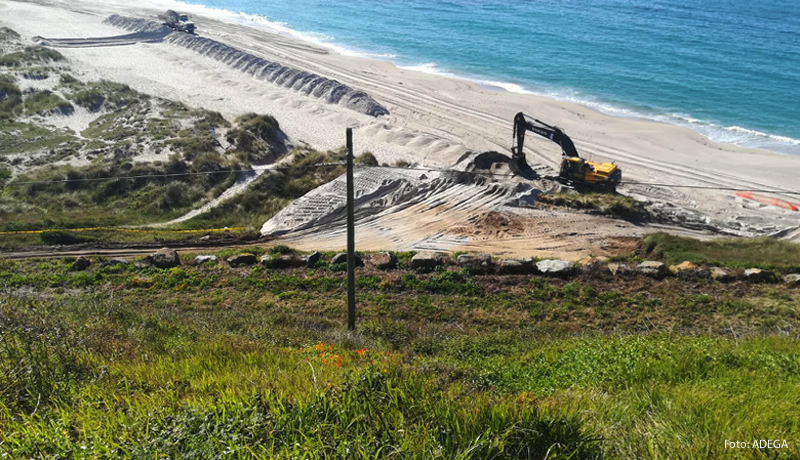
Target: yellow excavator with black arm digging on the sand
(574,169)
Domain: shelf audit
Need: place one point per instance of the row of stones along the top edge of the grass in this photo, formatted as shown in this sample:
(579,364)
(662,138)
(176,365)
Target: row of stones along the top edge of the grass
(168,258)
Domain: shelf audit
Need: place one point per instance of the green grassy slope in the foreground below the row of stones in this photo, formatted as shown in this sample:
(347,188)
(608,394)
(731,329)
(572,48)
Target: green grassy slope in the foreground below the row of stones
(215,362)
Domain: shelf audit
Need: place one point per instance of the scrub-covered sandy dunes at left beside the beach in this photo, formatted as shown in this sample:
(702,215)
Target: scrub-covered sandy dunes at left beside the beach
(166,158)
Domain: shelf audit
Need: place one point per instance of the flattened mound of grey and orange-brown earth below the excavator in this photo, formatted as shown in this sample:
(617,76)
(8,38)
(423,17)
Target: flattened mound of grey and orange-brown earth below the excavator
(404,210)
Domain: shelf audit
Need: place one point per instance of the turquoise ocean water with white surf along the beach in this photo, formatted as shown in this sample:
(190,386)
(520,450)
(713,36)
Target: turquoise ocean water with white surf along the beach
(729,69)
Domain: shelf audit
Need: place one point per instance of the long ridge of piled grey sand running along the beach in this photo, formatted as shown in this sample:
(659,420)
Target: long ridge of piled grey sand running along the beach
(331,91)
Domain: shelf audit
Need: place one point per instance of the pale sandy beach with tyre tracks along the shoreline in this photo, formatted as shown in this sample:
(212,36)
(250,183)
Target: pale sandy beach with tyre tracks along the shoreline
(433,119)
